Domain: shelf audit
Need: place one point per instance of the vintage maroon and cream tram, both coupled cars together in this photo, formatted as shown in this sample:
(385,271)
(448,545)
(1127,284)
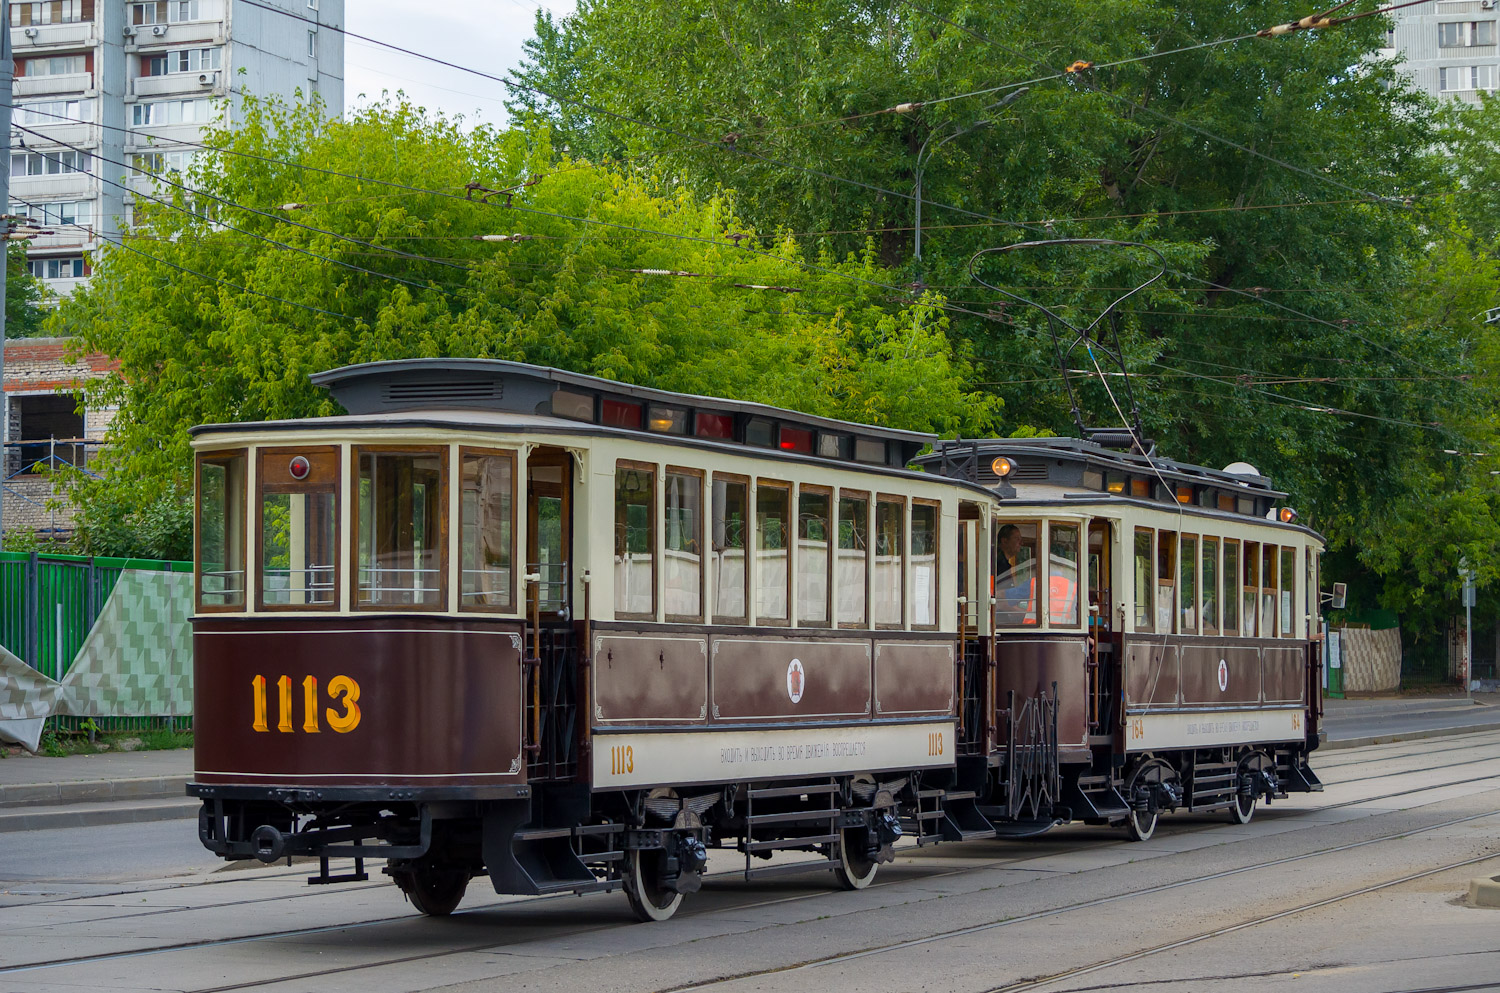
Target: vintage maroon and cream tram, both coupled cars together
(572,635)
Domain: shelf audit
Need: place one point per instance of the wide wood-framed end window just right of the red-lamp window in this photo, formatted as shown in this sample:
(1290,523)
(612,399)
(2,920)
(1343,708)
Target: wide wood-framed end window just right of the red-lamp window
(400,530)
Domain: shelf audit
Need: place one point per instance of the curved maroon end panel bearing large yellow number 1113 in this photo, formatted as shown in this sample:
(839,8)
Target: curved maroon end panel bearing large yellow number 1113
(397,703)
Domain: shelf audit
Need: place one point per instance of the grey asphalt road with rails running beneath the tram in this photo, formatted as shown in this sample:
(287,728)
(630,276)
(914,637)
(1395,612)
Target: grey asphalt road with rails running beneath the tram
(1352,890)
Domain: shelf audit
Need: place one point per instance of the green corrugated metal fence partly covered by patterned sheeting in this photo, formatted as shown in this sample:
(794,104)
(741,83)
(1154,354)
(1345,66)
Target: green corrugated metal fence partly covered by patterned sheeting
(49,604)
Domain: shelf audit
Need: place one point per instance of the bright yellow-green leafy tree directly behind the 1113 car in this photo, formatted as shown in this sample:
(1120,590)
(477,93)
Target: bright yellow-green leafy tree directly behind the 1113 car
(220,304)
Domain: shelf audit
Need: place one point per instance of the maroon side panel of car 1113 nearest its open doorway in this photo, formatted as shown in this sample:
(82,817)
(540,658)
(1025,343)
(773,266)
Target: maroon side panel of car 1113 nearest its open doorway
(650,679)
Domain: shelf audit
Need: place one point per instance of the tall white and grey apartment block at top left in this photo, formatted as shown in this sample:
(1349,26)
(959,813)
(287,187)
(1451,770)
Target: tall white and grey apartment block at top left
(109,91)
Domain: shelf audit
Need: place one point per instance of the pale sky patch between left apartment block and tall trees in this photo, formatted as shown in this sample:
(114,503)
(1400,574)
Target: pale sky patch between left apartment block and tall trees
(485,35)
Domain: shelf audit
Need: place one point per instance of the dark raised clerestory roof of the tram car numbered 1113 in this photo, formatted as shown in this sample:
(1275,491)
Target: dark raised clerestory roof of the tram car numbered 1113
(493,385)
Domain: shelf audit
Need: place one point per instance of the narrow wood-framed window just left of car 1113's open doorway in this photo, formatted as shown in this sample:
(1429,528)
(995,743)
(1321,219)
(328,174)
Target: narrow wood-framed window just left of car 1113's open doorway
(487,530)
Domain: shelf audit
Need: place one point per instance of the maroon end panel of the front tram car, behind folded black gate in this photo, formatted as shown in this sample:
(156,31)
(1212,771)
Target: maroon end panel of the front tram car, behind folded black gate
(1031,667)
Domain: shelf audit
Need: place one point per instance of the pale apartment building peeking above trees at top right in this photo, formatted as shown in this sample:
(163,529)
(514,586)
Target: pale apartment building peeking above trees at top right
(1450,47)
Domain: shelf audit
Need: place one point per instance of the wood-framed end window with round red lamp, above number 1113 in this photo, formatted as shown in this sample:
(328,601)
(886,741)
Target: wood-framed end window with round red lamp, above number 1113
(299,529)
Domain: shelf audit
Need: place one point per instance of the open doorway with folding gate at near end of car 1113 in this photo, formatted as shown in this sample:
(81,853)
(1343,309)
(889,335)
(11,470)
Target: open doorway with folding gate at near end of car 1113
(553,679)
